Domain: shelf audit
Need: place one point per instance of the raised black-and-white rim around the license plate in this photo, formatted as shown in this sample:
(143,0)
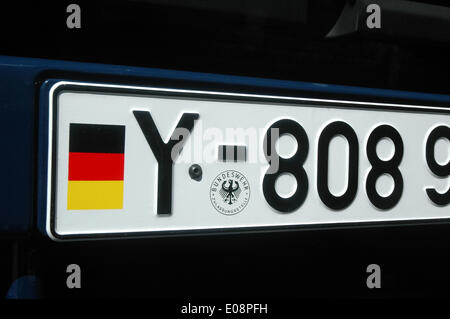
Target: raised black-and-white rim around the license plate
(57,86)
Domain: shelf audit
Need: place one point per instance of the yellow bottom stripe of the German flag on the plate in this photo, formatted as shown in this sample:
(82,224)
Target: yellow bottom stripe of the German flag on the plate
(95,195)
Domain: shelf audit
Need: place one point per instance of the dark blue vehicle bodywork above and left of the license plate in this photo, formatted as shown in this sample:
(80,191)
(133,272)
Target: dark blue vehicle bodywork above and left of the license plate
(23,126)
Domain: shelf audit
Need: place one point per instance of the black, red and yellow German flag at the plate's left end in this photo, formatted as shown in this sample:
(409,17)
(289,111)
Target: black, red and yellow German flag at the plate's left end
(96,166)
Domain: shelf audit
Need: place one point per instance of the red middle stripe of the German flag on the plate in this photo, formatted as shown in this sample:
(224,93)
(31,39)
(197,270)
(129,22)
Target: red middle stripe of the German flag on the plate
(95,166)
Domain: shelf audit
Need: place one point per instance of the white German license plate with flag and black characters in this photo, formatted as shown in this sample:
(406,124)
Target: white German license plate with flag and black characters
(142,161)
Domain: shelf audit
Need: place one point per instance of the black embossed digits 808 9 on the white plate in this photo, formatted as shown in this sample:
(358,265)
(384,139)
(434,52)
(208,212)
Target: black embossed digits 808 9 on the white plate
(294,166)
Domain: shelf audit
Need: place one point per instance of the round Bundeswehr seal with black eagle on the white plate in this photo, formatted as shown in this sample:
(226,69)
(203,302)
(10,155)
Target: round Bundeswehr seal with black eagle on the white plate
(229,192)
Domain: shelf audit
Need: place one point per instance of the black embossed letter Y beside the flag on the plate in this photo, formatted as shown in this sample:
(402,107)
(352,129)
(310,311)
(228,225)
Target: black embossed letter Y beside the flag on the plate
(163,152)
